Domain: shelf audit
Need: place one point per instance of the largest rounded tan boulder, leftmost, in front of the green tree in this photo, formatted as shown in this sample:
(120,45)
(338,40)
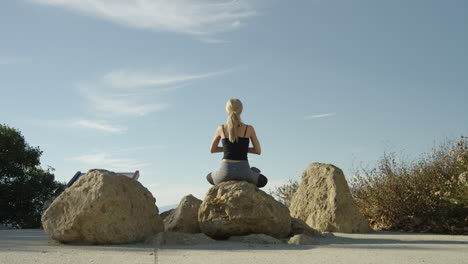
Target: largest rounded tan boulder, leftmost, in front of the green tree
(103,207)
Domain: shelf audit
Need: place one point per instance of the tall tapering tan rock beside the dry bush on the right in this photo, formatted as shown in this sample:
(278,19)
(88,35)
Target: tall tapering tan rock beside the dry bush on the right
(324,202)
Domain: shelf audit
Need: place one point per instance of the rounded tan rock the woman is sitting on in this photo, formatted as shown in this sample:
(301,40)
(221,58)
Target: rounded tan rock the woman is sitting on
(240,208)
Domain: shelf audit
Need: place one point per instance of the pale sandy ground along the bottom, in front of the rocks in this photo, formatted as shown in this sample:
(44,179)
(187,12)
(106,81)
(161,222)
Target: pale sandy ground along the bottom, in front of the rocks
(33,246)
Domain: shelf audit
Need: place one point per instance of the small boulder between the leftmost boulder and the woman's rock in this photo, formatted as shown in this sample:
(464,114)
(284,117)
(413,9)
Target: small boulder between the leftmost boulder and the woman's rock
(185,217)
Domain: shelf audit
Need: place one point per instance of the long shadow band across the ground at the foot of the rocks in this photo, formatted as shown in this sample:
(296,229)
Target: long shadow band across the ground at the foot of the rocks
(34,239)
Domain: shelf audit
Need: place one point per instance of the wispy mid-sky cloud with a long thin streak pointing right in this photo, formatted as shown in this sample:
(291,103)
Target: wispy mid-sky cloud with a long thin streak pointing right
(135,93)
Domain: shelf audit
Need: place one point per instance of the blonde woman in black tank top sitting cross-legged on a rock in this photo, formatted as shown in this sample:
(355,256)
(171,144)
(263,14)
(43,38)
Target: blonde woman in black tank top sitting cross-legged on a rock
(235,137)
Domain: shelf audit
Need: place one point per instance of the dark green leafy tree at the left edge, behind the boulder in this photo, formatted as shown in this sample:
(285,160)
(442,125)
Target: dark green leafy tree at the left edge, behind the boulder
(24,186)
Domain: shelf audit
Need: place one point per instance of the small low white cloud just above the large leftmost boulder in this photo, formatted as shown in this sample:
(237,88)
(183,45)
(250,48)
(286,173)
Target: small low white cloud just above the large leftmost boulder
(106,160)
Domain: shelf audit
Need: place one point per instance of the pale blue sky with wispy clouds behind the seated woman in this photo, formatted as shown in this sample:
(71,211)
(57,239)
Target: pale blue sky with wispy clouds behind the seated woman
(125,85)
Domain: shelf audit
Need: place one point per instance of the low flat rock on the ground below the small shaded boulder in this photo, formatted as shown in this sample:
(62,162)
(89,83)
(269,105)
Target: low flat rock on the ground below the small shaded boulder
(178,238)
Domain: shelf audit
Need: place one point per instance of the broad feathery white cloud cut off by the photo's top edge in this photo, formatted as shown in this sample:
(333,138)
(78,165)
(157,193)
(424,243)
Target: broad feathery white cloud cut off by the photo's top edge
(193,17)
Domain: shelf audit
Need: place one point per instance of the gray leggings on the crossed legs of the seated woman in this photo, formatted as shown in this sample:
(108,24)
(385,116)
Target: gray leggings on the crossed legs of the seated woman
(237,171)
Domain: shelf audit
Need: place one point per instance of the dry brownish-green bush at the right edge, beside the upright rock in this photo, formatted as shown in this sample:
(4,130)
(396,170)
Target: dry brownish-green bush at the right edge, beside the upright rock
(426,195)
